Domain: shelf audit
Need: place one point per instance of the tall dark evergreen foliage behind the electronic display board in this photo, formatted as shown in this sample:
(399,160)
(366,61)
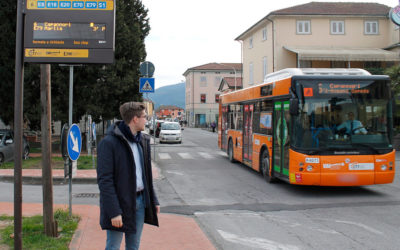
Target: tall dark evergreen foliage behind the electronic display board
(98,89)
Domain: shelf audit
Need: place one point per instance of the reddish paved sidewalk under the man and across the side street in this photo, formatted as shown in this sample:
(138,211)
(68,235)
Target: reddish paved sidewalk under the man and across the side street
(175,231)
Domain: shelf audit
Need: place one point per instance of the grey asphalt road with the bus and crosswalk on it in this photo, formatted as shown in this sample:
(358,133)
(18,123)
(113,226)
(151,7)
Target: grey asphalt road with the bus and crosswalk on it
(237,209)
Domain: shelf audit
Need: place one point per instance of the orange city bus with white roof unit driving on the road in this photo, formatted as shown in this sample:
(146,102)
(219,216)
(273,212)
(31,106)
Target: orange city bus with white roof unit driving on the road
(328,127)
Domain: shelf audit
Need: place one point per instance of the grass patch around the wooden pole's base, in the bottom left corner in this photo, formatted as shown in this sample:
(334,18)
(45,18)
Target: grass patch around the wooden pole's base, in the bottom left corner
(33,236)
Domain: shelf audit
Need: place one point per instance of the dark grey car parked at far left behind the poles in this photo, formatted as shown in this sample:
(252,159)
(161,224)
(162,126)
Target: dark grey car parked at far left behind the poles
(7,146)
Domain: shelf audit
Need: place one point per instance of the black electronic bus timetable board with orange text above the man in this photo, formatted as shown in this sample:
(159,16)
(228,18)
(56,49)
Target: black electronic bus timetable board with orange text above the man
(57,34)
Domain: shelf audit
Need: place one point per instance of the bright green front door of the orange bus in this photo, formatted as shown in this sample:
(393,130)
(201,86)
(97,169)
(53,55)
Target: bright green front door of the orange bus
(281,139)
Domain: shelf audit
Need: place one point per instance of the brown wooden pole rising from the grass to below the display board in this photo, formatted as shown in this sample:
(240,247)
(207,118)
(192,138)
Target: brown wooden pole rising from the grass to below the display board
(50,227)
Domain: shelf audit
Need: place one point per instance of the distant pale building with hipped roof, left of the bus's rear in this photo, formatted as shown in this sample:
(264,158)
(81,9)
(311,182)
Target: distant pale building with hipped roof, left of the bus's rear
(202,95)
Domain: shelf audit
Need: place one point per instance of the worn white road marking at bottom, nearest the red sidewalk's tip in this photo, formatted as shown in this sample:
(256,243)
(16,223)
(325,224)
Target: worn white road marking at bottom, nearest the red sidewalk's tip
(255,242)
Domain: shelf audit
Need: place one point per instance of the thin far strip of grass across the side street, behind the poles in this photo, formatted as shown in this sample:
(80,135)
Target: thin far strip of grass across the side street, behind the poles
(84,162)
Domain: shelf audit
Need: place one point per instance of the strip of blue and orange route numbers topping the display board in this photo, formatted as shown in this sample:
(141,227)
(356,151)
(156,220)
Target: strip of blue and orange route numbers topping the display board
(70,5)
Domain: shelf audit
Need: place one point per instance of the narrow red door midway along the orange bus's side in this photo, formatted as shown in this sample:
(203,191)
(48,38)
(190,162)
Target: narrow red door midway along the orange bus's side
(248,134)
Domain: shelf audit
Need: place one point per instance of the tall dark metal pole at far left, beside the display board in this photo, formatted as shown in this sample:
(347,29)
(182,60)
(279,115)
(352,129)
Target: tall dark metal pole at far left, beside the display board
(18,119)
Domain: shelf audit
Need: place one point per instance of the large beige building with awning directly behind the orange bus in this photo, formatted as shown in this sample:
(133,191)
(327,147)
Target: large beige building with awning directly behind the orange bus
(320,35)
